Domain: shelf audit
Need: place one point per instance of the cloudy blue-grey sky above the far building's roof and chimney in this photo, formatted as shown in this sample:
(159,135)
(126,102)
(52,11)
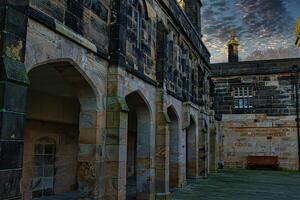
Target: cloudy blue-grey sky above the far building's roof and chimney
(259,25)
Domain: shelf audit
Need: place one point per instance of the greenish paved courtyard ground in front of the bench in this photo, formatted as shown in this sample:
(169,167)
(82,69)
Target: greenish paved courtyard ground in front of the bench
(243,185)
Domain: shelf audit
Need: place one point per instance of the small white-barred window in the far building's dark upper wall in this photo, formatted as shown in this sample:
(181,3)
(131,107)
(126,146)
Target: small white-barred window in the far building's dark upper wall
(243,97)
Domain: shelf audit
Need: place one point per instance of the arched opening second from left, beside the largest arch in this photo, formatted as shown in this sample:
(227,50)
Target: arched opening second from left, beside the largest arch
(138,148)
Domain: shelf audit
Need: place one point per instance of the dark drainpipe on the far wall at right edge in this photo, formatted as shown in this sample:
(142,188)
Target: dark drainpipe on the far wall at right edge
(296,69)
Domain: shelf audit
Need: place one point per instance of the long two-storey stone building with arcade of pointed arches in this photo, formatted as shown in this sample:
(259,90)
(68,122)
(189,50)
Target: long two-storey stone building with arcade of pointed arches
(106,99)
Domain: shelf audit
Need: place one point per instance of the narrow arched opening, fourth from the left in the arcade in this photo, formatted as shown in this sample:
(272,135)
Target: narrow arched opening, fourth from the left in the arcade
(191,149)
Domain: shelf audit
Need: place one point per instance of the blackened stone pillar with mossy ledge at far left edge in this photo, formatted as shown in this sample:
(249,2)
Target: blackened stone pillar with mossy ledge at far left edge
(13,91)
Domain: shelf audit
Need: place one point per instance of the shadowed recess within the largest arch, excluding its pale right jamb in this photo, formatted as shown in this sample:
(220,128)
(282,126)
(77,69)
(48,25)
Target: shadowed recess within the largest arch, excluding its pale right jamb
(57,96)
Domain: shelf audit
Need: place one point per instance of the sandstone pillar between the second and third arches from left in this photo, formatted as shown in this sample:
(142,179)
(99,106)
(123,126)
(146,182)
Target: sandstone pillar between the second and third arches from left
(162,148)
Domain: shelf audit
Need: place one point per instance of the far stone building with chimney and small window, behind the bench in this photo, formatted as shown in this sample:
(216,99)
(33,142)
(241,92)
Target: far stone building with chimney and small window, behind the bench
(256,100)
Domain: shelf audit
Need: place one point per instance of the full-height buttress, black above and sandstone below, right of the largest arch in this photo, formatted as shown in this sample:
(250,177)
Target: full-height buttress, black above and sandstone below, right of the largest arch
(117,111)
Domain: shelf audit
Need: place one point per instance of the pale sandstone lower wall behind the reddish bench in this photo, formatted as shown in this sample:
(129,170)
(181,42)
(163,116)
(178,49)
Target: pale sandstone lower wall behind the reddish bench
(262,135)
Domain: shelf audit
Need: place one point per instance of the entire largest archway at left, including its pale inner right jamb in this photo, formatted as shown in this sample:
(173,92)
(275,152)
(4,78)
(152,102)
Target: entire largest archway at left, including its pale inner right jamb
(62,106)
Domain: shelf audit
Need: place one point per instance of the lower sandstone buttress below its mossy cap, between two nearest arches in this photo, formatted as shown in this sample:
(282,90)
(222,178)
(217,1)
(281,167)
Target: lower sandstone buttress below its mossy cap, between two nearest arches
(115,150)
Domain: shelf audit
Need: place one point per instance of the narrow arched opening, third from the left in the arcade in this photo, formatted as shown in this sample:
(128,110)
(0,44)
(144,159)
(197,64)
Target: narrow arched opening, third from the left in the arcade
(174,148)
